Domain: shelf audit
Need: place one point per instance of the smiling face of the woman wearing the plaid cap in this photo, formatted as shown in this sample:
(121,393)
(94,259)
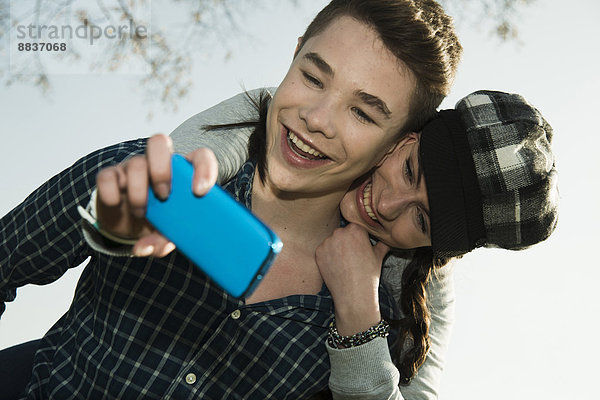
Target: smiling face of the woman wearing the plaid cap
(392,203)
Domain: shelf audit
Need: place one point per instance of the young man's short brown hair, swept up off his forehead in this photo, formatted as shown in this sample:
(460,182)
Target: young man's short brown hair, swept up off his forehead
(419,33)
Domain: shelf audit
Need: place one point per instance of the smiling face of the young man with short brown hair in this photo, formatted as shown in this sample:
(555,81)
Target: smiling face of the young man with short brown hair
(337,112)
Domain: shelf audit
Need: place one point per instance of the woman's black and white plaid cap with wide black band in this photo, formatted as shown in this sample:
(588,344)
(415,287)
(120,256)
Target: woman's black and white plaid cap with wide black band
(490,175)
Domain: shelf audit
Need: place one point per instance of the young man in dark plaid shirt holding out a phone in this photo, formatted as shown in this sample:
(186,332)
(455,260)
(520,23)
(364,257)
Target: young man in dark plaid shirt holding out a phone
(365,72)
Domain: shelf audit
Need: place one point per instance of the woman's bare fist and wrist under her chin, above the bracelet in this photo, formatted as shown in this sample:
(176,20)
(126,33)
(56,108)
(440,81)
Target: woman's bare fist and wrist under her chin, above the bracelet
(351,268)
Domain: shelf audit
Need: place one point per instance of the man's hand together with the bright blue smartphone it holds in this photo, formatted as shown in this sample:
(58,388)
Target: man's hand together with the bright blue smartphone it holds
(219,235)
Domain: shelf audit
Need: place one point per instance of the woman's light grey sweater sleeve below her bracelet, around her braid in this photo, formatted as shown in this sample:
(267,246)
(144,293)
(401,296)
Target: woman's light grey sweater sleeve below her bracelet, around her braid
(367,371)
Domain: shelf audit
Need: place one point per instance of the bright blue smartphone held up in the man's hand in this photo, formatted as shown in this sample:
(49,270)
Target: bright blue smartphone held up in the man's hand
(219,235)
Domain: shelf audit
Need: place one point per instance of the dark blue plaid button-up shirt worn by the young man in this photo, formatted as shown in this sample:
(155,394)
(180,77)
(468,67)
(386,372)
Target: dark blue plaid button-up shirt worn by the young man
(155,328)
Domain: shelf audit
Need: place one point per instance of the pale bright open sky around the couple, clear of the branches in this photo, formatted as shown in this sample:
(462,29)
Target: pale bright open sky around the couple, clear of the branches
(526,322)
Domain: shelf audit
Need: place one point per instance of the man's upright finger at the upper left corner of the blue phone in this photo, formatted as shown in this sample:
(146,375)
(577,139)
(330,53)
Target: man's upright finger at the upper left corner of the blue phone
(158,151)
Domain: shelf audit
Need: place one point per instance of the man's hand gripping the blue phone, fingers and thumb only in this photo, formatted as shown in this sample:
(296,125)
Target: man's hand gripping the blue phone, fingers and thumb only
(123,192)
